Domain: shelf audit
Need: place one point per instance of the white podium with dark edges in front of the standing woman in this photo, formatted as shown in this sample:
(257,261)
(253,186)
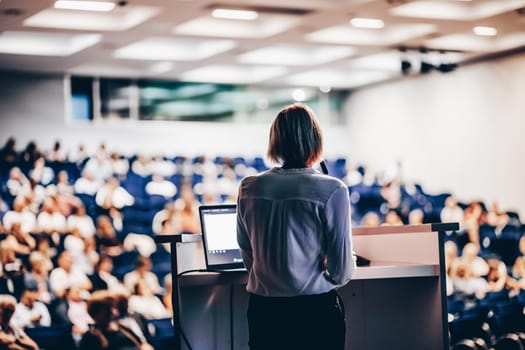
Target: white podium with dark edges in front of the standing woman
(398,302)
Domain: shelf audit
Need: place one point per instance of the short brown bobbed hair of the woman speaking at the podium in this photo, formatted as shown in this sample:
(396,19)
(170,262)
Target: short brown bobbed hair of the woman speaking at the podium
(295,136)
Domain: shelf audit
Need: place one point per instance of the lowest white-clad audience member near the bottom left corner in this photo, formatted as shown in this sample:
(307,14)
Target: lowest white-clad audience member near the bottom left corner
(30,312)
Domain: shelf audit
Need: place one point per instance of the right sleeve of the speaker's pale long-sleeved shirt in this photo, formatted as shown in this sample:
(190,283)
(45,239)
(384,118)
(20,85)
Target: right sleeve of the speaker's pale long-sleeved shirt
(340,263)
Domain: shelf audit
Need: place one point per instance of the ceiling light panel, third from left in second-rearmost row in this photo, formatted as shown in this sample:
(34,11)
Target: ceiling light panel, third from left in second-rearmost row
(295,55)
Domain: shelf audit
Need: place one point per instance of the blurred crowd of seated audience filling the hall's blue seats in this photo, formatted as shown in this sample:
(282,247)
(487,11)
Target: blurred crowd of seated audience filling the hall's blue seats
(73,224)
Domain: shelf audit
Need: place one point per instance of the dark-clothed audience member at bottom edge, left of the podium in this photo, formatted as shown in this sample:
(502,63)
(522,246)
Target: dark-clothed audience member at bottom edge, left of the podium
(106,333)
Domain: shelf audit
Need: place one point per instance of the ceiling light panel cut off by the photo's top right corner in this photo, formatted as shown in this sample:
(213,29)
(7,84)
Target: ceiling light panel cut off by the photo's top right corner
(460,10)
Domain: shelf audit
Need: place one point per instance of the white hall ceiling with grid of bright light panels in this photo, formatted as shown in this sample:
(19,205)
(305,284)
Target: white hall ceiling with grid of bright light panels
(292,42)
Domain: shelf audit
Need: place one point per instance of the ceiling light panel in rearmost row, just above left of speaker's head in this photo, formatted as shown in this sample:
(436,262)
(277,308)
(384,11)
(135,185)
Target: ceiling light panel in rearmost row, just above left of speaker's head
(233,74)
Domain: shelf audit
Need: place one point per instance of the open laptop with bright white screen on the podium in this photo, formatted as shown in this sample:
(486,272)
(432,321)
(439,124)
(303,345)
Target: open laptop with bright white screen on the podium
(219,235)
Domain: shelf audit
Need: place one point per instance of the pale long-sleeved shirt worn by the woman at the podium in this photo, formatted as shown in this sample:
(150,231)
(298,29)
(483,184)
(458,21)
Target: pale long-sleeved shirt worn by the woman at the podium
(288,222)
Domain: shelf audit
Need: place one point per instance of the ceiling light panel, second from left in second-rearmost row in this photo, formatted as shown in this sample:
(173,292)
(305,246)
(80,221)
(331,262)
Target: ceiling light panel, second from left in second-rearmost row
(172,49)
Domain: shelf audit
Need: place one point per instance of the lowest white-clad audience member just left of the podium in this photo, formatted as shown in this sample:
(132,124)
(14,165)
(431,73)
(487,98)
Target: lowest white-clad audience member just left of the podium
(145,303)
